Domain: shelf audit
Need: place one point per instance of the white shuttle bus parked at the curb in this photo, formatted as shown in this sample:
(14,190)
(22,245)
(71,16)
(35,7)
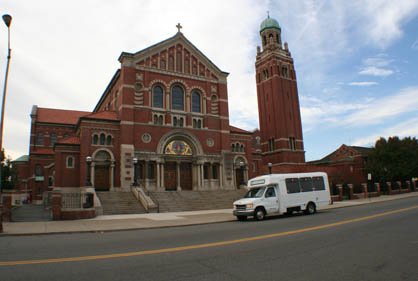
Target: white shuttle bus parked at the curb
(277,194)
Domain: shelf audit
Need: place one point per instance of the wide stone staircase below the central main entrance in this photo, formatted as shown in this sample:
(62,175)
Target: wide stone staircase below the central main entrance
(177,201)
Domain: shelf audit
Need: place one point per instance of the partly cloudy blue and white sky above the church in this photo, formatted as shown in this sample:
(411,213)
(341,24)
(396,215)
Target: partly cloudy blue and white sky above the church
(356,61)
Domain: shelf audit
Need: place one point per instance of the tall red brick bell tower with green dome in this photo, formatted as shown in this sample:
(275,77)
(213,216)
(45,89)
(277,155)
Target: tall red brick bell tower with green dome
(278,101)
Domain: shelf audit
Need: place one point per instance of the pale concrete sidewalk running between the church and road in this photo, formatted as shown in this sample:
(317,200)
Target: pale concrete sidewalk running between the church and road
(155,220)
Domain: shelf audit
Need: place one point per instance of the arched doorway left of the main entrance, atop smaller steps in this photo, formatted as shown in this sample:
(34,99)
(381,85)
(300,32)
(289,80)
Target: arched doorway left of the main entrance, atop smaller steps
(102,171)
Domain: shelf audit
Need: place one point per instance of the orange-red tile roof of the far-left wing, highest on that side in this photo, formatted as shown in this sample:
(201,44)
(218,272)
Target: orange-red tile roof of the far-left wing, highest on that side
(59,116)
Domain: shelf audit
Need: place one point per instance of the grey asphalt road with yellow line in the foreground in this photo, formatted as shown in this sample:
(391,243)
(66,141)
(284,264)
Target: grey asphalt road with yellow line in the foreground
(370,242)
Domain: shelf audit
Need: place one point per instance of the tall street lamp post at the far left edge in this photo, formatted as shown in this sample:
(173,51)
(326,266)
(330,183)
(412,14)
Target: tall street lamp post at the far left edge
(7,20)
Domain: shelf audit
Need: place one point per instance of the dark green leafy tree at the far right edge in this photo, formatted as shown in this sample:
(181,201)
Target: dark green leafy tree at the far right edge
(394,159)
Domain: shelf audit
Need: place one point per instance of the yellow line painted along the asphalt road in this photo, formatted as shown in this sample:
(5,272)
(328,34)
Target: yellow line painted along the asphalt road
(207,245)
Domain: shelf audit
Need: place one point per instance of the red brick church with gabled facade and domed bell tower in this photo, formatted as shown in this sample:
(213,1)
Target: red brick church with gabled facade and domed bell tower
(166,109)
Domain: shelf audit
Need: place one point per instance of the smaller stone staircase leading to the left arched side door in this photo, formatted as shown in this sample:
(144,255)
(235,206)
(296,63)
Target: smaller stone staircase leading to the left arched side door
(118,203)
